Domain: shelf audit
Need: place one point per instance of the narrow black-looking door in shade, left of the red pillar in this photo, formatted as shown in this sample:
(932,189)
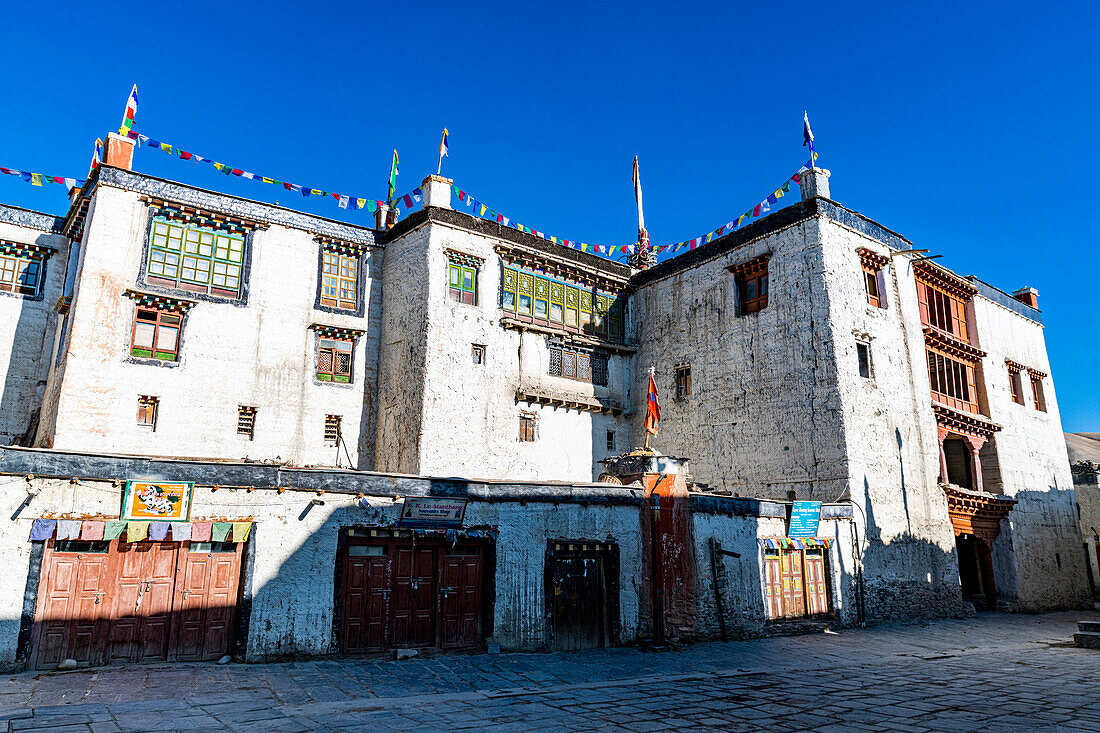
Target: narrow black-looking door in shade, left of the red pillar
(577,604)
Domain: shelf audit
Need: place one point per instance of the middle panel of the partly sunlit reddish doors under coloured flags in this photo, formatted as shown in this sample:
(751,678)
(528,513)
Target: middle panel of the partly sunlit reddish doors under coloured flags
(141,612)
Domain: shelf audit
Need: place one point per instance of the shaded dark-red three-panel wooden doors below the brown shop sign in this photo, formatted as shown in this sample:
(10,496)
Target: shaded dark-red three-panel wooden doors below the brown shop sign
(397,595)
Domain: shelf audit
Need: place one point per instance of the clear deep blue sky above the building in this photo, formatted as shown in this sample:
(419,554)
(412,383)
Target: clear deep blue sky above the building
(970,128)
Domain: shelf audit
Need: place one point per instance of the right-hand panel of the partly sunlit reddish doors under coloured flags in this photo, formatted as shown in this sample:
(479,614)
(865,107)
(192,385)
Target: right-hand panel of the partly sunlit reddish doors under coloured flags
(206,592)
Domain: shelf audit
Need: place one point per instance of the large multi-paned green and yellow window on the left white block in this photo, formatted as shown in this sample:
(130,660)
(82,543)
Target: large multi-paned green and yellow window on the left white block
(195,259)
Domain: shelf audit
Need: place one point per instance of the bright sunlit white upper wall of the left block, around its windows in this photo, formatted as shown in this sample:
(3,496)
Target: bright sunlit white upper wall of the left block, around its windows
(260,353)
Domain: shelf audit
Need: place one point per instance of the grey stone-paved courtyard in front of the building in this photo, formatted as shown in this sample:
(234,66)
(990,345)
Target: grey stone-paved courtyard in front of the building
(995,673)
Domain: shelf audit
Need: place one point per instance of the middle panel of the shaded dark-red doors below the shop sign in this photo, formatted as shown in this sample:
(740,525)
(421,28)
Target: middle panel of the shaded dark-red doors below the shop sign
(414,603)
